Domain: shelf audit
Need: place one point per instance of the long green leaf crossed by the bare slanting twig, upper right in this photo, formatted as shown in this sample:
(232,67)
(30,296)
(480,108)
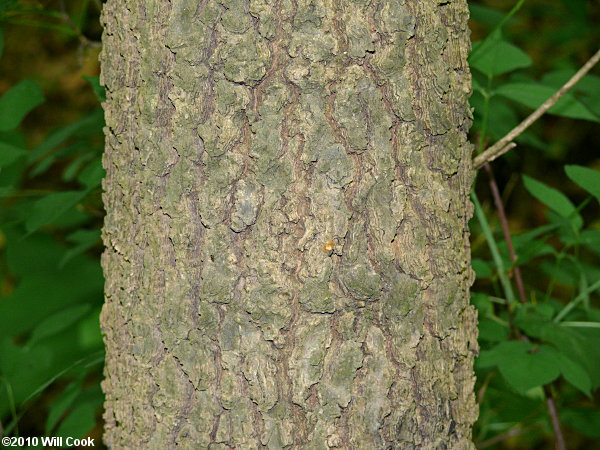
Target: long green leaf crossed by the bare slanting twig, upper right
(534,94)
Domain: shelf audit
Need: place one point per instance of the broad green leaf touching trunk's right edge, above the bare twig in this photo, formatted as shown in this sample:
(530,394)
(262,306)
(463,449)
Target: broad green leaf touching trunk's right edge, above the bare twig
(497,56)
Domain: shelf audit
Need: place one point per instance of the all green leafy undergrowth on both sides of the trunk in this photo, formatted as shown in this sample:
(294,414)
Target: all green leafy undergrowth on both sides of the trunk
(536,292)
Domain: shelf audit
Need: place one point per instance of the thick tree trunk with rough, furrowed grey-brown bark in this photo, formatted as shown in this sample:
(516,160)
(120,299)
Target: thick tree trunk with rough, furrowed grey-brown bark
(287,260)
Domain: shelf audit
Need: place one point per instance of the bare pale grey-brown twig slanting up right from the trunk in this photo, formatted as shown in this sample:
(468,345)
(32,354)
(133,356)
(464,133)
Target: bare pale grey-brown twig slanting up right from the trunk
(506,143)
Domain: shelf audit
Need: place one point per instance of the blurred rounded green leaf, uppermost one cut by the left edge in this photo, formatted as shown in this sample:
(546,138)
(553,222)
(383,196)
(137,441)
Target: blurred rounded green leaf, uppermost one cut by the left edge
(17,102)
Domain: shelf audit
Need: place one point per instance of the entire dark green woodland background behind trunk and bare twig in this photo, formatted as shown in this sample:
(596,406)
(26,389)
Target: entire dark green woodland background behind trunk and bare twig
(51,212)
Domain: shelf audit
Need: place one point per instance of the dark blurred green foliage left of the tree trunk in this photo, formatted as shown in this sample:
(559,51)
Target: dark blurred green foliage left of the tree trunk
(51,350)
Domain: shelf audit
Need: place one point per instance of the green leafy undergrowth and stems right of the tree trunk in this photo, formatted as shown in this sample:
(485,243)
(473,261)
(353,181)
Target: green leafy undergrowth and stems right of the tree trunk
(536,290)
